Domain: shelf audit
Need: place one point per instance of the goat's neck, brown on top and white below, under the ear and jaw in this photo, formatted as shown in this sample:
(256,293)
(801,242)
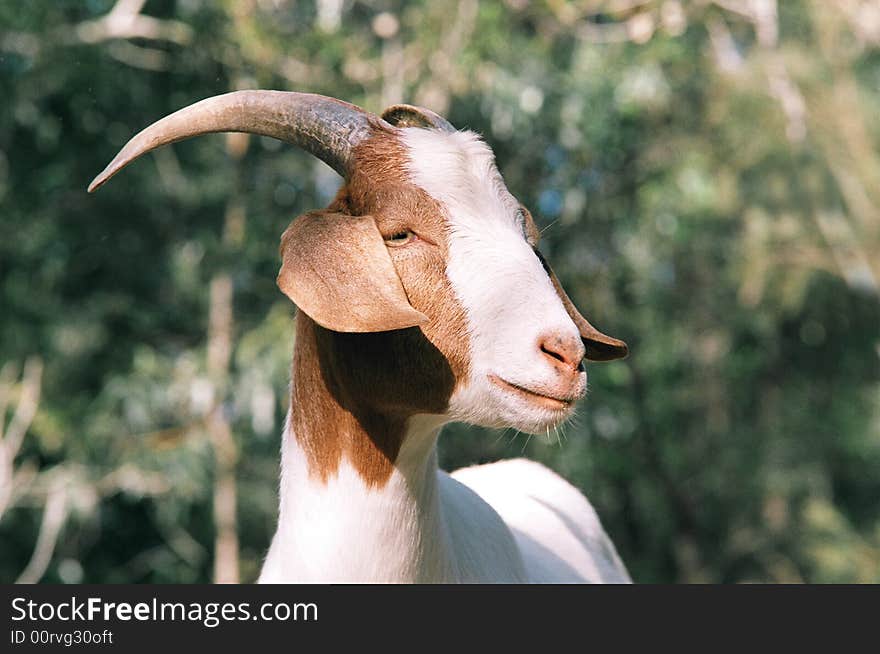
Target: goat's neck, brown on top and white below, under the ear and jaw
(359,485)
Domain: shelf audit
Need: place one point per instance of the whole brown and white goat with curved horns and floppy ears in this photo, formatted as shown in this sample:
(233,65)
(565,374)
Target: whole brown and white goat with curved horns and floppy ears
(422,300)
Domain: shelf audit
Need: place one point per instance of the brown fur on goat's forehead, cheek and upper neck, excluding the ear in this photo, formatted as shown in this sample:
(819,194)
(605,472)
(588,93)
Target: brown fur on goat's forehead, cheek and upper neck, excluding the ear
(353,393)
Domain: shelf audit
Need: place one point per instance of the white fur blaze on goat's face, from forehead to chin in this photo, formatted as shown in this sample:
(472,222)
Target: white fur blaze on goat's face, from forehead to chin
(508,298)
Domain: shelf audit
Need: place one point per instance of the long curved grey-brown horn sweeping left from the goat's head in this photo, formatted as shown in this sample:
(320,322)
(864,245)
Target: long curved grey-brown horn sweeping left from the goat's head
(326,127)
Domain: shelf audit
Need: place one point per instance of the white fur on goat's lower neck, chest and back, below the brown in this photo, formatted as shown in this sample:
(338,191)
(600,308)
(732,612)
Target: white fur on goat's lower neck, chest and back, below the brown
(508,522)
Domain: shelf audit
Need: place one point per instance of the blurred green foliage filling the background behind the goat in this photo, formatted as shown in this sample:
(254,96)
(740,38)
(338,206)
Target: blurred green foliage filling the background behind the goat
(708,181)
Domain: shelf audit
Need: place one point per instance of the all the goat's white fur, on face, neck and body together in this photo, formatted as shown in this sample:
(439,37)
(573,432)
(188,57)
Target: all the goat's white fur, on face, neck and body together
(513,521)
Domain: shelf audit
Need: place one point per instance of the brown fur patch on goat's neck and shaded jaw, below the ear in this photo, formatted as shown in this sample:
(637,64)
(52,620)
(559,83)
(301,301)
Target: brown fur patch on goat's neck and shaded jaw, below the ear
(353,393)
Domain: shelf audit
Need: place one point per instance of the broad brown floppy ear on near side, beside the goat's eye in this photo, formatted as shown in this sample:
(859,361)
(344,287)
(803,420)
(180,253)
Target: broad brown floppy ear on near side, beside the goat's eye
(336,269)
